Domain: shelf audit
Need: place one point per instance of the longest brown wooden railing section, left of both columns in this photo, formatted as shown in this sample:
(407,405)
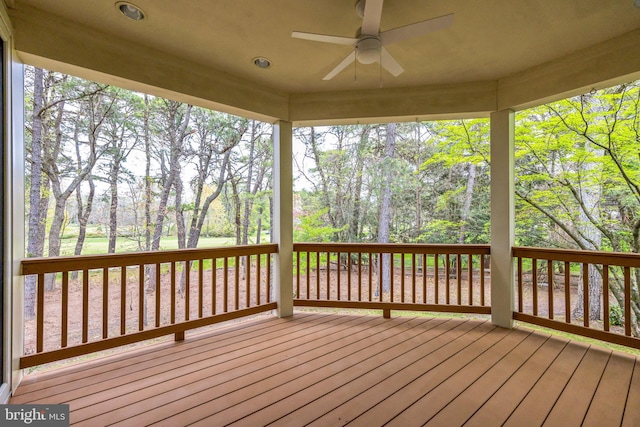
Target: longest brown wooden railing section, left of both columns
(105,301)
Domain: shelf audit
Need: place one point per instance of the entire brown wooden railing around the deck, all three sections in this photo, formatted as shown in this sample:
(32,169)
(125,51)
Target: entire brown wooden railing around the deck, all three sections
(101,302)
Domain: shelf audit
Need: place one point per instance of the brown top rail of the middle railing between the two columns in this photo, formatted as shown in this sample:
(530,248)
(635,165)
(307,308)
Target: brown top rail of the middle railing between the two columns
(417,248)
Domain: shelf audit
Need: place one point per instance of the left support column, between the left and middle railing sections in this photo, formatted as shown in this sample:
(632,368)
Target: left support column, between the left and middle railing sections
(282,227)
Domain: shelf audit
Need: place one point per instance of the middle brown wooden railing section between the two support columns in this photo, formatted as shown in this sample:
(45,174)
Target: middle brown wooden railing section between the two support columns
(441,278)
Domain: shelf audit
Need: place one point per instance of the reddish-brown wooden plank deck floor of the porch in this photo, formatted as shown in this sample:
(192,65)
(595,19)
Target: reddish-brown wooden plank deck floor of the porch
(328,369)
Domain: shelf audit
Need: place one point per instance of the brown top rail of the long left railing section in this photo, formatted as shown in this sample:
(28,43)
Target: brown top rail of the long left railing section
(89,262)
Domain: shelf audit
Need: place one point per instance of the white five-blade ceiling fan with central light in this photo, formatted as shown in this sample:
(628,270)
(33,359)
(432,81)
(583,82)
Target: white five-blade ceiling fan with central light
(370,42)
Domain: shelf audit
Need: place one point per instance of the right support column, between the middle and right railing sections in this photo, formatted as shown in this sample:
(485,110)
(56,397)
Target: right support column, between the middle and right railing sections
(502,217)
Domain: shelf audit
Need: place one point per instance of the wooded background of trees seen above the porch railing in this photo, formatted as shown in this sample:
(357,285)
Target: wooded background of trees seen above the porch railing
(136,170)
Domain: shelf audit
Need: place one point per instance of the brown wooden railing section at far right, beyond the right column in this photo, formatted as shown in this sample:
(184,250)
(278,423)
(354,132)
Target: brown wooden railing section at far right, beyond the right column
(551,283)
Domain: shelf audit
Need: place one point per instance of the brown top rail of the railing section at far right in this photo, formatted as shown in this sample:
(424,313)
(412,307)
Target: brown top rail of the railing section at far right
(623,259)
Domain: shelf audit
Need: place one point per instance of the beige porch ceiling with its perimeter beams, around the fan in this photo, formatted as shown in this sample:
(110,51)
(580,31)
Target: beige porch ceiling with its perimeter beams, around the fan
(497,53)
